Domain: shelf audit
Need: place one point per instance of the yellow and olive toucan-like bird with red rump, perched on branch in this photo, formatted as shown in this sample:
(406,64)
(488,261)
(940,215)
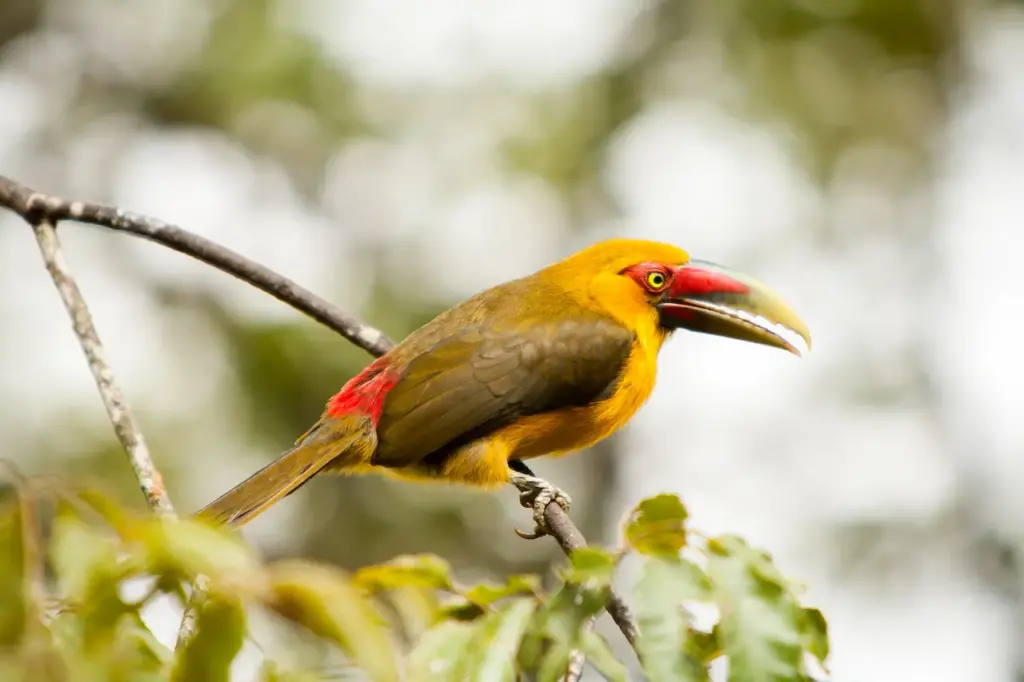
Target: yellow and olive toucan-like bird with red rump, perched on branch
(545,365)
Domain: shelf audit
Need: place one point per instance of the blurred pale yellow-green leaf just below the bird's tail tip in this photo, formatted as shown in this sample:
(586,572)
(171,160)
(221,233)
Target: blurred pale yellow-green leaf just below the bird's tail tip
(193,548)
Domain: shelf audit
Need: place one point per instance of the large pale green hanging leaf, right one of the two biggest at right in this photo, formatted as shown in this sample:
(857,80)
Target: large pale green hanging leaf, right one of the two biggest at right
(759,629)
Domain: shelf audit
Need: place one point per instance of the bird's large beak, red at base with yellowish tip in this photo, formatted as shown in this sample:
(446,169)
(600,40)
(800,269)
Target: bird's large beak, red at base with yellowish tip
(712,300)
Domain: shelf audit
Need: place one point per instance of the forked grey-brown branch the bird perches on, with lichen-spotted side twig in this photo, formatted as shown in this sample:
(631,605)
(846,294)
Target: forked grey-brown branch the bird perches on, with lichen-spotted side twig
(44,211)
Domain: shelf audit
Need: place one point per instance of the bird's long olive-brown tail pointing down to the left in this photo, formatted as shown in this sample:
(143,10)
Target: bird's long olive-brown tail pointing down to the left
(343,444)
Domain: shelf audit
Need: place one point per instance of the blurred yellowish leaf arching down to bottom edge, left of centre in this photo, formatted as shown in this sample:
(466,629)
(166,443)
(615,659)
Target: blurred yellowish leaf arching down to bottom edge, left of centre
(327,604)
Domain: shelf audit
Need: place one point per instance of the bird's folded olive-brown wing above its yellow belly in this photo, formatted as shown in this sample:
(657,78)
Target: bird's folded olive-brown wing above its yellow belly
(480,380)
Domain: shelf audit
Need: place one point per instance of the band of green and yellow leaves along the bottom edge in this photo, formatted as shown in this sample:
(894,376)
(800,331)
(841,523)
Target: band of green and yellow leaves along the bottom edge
(69,555)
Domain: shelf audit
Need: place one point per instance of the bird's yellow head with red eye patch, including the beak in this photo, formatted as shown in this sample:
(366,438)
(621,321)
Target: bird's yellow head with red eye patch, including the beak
(649,282)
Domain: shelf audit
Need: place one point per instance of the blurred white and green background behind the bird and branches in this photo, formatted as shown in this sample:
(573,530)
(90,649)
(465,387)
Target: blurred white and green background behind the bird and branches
(864,157)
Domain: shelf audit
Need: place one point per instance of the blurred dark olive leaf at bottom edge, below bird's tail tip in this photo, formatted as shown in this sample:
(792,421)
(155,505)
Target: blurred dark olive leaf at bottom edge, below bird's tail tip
(221,631)
